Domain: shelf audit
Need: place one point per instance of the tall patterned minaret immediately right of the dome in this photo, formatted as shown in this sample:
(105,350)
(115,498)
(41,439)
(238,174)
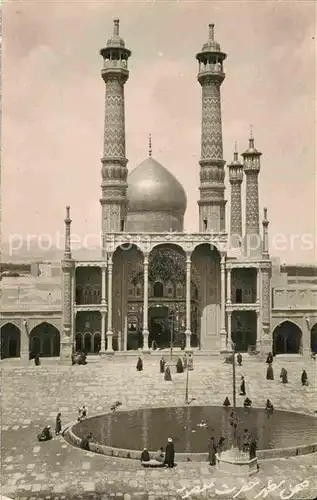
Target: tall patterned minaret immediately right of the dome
(212,187)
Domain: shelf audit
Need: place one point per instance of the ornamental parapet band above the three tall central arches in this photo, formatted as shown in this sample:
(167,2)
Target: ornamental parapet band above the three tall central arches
(147,241)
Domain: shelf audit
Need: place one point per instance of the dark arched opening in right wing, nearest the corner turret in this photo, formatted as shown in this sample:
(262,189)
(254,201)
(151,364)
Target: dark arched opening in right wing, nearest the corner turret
(287,338)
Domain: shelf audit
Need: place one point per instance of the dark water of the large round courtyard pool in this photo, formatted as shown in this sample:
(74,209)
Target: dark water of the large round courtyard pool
(191,426)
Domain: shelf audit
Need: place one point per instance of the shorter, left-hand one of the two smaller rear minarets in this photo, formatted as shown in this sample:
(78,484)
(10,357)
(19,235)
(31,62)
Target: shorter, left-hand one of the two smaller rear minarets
(235,178)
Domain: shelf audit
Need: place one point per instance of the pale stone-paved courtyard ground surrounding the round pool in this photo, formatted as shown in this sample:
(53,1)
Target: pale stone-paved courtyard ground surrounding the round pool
(31,397)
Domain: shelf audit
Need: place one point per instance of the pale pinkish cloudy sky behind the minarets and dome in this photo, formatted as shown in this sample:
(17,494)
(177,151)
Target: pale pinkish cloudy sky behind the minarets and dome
(53,107)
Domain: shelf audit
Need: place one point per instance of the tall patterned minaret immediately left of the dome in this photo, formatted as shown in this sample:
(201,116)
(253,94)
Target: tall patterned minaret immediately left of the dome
(114,162)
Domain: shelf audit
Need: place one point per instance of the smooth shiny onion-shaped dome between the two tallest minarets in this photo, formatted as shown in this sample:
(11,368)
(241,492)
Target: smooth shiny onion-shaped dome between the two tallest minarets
(152,188)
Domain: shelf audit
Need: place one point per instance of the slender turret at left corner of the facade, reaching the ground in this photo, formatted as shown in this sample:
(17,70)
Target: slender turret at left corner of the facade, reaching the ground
(66,345)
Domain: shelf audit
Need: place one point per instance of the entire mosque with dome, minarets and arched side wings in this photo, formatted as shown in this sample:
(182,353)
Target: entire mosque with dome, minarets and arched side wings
(154,283)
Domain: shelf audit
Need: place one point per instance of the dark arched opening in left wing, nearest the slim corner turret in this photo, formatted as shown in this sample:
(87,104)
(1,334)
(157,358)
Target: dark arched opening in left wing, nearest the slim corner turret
(44,340)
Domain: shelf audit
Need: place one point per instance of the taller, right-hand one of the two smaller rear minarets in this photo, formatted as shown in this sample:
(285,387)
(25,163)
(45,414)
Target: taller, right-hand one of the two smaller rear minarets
(251,168)
